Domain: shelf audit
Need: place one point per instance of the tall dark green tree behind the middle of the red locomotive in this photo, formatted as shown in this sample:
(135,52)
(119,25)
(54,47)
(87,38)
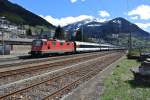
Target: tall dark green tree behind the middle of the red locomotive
(59,33)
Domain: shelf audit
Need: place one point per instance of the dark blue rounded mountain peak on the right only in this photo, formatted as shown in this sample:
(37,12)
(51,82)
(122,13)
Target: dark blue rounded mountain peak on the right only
(121,25)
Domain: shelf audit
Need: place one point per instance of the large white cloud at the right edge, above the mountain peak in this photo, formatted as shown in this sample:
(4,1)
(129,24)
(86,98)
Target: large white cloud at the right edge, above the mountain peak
(143,11)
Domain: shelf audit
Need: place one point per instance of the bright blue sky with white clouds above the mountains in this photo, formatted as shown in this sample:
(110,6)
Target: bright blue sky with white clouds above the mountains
(63,12)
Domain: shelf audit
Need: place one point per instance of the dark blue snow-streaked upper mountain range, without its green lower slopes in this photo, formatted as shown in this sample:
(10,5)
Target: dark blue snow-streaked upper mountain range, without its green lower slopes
(110,27)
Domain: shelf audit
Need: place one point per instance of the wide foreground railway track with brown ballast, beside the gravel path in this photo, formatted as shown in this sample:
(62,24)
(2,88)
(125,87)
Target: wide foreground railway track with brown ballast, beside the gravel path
(54,86)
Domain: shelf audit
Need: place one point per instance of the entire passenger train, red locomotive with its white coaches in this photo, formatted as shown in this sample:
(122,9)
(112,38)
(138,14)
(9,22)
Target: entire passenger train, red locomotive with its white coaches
(55,46)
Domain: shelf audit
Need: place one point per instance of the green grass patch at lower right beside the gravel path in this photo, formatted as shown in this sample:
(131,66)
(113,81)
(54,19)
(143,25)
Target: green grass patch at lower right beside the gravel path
(121,86)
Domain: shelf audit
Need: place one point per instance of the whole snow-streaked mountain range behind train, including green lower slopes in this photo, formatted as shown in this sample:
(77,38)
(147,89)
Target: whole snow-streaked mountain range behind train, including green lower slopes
(114,30)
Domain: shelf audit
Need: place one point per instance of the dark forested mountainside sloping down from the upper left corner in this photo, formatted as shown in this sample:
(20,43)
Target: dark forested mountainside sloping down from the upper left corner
(19,15)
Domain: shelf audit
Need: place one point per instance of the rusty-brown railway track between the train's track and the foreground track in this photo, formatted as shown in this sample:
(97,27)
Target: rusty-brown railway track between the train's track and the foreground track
(26,72)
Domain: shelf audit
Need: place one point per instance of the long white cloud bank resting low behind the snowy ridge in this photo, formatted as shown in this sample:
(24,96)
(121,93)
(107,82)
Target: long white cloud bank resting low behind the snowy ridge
(66,20)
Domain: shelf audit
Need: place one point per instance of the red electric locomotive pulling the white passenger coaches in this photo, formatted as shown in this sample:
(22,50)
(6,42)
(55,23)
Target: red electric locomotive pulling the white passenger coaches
(52,46)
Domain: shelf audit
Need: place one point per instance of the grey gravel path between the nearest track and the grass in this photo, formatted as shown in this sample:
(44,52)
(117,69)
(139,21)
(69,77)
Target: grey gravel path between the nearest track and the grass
(92,89)
